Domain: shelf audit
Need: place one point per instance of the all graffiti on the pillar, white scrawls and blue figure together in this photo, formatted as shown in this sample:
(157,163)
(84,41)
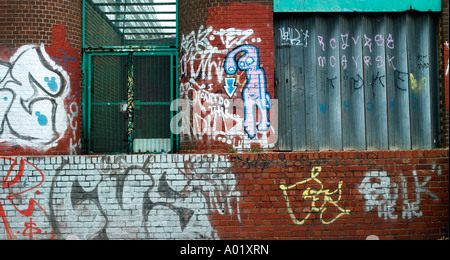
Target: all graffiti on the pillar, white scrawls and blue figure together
(218,110)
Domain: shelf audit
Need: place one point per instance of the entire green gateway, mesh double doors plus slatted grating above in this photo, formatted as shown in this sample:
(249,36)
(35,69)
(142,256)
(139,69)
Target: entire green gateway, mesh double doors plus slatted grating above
(130,75)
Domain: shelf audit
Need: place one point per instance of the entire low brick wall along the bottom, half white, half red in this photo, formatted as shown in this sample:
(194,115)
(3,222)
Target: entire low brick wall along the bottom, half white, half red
(317,195)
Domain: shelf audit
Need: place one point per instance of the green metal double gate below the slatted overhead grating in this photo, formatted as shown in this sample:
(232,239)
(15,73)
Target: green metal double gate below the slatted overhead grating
(129,100)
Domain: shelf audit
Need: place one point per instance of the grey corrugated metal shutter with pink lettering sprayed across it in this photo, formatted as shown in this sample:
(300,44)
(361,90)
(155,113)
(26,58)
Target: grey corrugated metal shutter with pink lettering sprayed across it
(357,81)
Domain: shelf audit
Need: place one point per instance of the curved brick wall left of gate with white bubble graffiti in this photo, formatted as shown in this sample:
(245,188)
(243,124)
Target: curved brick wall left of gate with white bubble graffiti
(40,77)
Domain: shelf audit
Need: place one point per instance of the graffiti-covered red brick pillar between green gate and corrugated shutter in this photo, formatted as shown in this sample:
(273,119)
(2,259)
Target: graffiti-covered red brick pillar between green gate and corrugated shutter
(213,36)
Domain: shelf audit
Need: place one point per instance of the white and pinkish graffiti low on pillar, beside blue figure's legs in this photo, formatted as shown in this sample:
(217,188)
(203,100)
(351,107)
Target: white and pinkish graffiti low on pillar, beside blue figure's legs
(209,115)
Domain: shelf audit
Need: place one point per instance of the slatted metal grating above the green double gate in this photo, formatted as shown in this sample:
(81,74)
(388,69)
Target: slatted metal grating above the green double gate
(135,22)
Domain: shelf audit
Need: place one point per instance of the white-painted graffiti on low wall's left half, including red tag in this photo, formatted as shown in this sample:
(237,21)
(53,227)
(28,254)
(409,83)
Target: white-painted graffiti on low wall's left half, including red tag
(172,203)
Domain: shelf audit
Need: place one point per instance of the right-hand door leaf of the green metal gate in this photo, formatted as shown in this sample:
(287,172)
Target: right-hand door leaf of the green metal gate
(153,76)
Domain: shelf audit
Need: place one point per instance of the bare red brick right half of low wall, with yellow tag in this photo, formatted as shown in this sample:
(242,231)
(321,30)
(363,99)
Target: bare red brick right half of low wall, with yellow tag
(391,194)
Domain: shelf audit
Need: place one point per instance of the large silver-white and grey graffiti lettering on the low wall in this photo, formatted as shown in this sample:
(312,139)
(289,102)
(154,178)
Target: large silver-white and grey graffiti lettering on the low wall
(163,203)
